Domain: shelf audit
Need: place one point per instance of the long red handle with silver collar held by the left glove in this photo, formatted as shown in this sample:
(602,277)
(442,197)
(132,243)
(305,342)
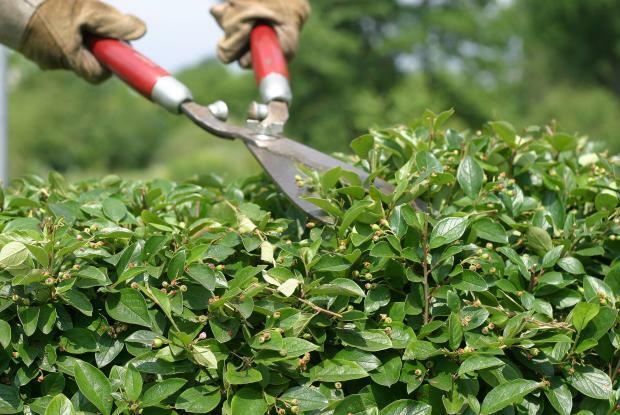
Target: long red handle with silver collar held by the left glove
(140,73)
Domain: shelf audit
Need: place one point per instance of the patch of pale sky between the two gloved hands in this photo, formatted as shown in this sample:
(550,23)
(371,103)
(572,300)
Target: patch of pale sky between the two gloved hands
(180,33)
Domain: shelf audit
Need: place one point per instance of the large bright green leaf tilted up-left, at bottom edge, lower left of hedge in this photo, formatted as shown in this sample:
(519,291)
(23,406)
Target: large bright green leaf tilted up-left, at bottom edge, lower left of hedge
(94,386)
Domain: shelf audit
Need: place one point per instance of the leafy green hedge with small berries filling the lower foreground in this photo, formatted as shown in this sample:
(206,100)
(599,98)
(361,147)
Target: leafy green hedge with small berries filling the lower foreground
(156,297)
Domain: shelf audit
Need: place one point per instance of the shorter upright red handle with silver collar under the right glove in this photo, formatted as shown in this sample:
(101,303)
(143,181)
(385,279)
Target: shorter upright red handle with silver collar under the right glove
(269,64)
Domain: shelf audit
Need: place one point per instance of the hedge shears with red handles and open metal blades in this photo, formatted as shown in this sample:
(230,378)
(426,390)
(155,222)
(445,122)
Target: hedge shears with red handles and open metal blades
(279,156)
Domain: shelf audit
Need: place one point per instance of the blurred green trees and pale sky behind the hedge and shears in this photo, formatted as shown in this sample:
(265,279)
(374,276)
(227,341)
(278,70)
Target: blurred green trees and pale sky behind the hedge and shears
(362,63)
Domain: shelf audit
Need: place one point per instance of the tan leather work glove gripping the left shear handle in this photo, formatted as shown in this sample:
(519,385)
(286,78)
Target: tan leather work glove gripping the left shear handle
(54,37)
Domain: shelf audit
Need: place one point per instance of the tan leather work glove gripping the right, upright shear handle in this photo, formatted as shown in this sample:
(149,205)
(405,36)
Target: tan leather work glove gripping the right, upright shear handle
(238,17)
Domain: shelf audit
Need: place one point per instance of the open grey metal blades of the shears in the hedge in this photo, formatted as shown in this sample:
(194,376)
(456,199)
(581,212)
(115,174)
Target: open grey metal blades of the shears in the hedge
(280,159)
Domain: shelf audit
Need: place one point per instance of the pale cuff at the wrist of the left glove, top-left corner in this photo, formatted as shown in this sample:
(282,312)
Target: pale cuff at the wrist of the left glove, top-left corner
(14,18)
